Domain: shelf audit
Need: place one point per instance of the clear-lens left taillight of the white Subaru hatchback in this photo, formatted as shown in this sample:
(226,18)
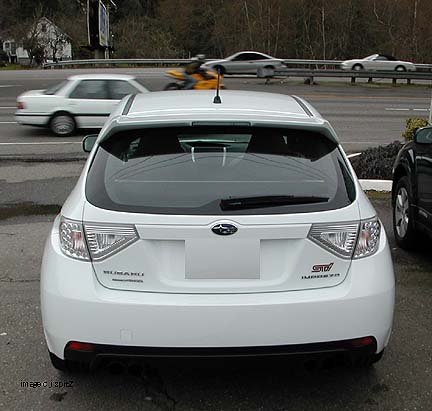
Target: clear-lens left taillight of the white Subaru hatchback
(94,241)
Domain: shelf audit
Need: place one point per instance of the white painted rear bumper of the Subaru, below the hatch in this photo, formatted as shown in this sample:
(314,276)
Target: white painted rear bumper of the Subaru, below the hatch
(75,307)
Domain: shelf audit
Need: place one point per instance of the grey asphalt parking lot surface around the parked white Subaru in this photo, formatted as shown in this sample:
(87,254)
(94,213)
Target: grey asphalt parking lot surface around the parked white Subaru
(31,194)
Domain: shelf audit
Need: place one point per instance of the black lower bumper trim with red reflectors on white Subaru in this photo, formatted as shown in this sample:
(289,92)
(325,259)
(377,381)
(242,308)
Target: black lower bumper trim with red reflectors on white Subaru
(116,351)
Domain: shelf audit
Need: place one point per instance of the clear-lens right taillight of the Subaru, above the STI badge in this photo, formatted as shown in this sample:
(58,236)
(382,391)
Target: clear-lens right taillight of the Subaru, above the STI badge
(348,240)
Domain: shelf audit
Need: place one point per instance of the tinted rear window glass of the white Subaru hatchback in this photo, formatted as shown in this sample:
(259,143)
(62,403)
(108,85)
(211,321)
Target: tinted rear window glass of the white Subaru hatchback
(219,171)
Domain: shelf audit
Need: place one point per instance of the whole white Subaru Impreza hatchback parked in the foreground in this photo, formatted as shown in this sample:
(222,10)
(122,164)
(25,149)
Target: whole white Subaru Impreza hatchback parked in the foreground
(200,228)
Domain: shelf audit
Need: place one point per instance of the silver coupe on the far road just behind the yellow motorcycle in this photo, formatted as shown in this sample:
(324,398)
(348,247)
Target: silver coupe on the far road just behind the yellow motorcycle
(246,62)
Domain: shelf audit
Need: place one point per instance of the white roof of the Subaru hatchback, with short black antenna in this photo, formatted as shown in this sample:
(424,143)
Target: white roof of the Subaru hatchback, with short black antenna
(236,105)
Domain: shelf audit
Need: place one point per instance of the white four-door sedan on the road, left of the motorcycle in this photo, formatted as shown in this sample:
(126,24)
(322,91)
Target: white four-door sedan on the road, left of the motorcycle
(81,101)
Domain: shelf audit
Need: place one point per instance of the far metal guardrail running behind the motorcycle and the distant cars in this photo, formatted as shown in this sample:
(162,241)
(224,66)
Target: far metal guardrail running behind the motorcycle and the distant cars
(144,62)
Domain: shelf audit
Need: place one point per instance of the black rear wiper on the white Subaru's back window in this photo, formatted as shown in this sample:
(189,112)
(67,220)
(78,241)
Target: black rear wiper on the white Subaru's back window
(241,203)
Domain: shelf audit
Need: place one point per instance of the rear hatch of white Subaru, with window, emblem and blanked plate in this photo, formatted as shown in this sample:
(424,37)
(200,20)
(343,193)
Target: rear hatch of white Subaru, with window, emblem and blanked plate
(237,210)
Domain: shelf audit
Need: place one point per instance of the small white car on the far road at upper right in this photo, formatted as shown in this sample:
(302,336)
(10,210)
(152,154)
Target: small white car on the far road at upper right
(378,62)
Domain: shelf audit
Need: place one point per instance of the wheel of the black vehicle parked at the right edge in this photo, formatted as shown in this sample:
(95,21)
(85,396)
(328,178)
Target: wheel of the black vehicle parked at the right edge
(403,215)
